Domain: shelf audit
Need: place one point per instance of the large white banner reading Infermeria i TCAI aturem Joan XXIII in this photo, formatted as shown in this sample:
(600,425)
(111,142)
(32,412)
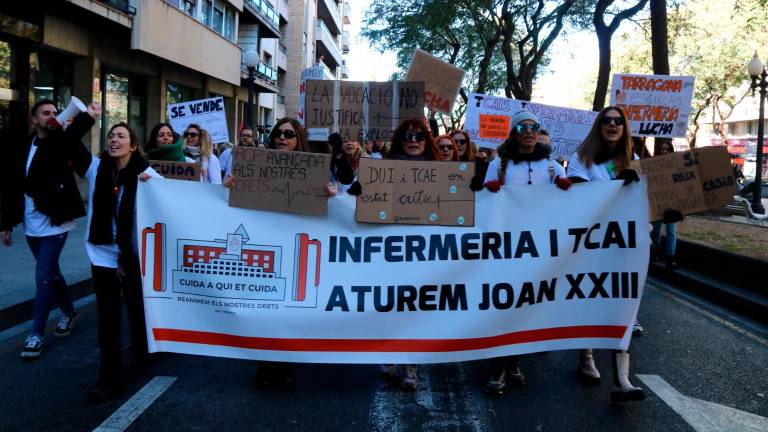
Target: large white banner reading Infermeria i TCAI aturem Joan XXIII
(543,269)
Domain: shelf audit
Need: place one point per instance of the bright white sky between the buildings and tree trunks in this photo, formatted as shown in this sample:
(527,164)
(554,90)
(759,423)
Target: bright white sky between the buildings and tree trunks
(574,60)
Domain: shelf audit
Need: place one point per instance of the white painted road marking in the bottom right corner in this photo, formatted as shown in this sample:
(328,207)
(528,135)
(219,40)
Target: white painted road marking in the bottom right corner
(702,415)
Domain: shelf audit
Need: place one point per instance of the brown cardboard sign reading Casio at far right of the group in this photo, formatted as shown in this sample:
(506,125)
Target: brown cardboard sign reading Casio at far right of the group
(689,182)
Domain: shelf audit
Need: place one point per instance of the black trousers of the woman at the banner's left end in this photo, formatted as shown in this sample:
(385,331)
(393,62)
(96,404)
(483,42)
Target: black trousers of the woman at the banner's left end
(108,289)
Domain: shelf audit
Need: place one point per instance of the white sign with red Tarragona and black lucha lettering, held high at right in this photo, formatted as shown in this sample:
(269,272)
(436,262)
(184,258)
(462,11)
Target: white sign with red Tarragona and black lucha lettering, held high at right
(656,105)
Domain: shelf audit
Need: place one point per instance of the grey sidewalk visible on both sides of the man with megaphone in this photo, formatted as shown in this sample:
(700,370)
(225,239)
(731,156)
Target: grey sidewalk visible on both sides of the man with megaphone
(17,273)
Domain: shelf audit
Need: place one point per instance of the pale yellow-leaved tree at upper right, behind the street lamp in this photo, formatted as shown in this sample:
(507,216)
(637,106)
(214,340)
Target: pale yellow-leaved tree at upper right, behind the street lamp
(701,46)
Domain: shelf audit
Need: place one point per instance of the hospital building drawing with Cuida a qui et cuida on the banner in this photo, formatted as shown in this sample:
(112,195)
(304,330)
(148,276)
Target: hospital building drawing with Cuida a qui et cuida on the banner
(229,268)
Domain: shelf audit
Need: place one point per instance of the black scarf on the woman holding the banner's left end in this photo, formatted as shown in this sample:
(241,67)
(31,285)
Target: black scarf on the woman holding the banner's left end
(105,192)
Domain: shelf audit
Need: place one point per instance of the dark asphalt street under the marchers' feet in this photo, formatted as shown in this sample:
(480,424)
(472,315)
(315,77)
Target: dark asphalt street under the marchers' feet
(703,370)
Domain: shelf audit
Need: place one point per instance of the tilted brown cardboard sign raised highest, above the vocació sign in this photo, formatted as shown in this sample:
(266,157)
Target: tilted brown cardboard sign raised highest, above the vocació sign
(442,80)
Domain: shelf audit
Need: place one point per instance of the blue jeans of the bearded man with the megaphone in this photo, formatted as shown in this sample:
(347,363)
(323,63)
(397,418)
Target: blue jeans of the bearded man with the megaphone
(50,281)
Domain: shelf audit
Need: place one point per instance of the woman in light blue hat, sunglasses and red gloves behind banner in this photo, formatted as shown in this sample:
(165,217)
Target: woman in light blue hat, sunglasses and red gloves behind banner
(530,165)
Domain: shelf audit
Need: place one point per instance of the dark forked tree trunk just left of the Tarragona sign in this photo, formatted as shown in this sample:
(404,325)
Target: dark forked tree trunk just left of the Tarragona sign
(604,34)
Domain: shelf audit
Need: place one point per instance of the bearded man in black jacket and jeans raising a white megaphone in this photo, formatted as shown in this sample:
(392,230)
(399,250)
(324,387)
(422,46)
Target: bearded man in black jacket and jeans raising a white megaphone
(41,192)
